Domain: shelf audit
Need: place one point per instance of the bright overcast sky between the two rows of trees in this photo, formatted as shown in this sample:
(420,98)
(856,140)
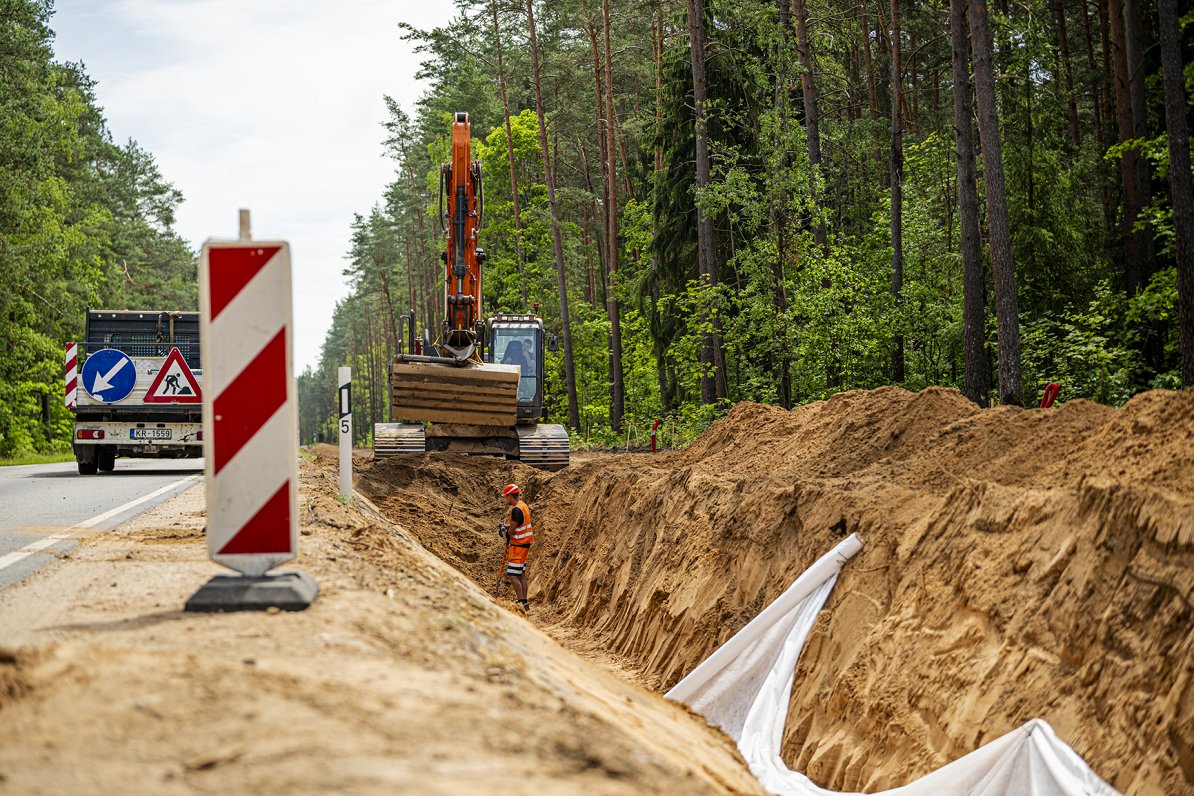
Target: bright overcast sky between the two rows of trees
(273,106)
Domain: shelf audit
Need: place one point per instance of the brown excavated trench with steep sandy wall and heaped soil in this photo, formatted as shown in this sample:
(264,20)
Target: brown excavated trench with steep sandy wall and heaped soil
(1018,564)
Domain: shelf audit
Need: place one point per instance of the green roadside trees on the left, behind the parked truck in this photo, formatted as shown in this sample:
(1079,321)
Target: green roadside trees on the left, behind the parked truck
(84,223)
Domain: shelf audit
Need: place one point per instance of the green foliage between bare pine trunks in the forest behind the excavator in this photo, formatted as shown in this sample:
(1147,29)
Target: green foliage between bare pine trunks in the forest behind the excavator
(796,316)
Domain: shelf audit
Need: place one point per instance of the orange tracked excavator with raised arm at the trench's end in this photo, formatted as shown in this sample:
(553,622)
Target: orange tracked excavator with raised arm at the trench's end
(479,387)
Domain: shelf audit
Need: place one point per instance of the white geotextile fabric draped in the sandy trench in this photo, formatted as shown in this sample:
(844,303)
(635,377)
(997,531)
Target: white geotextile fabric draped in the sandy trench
(746,689)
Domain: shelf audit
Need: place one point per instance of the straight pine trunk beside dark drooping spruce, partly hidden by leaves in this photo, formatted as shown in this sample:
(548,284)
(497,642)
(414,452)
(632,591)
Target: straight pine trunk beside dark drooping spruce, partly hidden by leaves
(713,374)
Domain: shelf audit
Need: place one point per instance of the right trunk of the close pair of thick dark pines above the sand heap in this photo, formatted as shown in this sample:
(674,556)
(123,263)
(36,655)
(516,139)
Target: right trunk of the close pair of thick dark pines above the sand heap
(1007,312)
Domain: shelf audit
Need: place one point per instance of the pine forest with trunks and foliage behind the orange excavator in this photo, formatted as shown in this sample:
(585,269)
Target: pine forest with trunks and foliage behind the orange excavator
(746,201)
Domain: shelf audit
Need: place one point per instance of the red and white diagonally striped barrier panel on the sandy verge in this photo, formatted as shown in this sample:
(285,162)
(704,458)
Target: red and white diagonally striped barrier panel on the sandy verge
(250,406)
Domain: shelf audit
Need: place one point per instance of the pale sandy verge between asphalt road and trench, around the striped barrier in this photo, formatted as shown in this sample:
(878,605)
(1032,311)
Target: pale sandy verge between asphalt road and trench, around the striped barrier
(404,677)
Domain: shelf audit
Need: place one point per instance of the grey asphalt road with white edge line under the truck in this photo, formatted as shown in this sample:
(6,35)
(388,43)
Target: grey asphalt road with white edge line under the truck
(46,508)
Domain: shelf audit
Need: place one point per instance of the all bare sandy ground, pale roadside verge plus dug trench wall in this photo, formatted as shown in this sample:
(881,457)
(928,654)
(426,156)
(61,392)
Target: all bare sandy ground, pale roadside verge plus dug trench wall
(1018,565)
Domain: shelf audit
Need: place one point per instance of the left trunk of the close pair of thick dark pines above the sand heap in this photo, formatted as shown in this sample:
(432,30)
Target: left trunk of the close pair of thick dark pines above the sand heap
(978,369)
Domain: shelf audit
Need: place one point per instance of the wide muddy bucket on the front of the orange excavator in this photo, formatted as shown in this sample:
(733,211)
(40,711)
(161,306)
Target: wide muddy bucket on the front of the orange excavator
(473,394)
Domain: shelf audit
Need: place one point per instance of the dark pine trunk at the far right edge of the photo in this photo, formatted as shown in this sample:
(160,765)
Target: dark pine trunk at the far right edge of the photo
(1177,108)
